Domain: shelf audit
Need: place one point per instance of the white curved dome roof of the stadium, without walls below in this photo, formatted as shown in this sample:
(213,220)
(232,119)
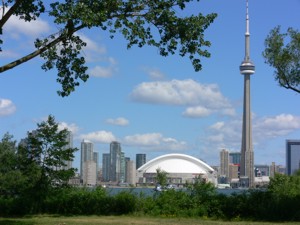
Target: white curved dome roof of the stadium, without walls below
(176,163)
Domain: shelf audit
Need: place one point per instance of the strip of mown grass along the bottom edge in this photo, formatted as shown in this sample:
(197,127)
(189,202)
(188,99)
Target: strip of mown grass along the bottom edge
(117,220)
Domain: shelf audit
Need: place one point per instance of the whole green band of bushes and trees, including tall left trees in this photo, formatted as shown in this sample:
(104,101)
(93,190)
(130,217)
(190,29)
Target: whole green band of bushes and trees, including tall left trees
(34,180)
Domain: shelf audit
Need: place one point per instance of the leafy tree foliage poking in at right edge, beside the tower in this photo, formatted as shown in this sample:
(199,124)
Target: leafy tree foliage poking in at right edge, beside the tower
(284,56)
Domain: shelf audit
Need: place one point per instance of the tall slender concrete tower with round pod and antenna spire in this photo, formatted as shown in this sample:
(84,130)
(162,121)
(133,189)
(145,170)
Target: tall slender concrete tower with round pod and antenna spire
(247,68)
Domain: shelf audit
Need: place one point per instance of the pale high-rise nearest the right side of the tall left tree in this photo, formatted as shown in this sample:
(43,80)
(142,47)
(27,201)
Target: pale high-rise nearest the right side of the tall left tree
(88,165)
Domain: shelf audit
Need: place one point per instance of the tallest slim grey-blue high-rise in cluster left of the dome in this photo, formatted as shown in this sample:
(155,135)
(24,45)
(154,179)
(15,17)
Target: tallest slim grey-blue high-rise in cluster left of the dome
(115,161)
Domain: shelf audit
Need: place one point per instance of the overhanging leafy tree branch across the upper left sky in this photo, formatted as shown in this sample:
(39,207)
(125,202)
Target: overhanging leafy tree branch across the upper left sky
(142,22)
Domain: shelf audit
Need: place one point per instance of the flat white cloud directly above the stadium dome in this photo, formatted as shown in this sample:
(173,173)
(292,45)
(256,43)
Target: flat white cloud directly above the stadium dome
(155,141)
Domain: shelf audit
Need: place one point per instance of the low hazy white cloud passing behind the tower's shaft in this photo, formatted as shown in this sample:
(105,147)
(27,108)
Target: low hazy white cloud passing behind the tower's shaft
(229,134)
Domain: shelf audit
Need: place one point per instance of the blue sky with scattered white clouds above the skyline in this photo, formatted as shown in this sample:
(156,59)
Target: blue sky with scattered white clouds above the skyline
(159,105)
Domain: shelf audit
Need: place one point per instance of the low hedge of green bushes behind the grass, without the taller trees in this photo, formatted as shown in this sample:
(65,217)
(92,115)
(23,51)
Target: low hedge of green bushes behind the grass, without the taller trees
(199,200)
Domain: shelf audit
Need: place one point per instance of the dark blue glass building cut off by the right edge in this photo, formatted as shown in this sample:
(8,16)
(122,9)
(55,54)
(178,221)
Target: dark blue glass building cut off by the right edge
(292,156)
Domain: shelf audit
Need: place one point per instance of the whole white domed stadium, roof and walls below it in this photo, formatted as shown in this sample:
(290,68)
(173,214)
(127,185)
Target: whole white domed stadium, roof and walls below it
(180,169)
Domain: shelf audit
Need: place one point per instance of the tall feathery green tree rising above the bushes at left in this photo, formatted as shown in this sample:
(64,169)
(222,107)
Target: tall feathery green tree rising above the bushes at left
(42,157)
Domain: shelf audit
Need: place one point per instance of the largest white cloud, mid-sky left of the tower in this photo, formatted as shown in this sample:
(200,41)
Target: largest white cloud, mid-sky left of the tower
(203,99)
